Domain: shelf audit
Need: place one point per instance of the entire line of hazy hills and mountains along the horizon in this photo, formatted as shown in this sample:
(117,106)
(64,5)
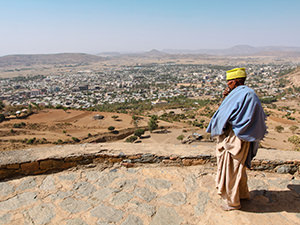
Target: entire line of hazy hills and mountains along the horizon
(82,58)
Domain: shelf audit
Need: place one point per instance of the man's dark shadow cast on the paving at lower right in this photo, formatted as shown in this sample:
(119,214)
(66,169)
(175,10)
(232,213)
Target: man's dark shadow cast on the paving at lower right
(267,201)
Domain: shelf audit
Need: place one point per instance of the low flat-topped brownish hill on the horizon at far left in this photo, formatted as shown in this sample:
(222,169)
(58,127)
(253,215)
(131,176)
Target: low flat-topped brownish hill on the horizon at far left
(36,59)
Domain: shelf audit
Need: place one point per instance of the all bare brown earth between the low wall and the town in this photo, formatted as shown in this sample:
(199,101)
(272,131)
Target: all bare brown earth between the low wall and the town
(50,125)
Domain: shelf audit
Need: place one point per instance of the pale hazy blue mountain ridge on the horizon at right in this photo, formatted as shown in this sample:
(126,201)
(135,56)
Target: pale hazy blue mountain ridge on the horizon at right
(239,50)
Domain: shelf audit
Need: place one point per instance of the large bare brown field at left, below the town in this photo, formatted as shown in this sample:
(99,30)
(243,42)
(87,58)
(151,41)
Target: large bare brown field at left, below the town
(50,125)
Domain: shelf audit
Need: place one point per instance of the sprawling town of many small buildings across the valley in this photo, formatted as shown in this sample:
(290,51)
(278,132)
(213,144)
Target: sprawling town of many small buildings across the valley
(84,89)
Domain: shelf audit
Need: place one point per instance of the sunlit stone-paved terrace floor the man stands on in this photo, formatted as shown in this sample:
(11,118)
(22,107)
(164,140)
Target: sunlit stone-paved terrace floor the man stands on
(145,195)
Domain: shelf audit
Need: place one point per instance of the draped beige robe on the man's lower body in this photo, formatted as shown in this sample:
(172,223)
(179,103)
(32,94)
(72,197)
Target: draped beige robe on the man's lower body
(231,180)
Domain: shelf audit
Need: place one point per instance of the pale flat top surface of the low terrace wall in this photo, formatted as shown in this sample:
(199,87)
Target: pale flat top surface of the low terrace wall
(34,154)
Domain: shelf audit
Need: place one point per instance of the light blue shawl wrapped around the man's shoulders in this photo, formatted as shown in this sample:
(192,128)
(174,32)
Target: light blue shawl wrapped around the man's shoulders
(241,110)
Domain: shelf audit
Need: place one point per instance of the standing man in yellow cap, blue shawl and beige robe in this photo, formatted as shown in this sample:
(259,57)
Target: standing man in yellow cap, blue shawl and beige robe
(239,125)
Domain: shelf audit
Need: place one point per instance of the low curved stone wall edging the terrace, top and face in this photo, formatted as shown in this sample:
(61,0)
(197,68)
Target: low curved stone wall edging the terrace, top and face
(32,161)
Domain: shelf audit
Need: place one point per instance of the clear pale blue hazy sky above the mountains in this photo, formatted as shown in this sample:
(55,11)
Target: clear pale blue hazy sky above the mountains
(93,26)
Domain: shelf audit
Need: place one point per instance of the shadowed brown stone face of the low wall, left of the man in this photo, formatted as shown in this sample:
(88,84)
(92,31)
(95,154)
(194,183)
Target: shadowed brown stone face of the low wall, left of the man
(58,164)
